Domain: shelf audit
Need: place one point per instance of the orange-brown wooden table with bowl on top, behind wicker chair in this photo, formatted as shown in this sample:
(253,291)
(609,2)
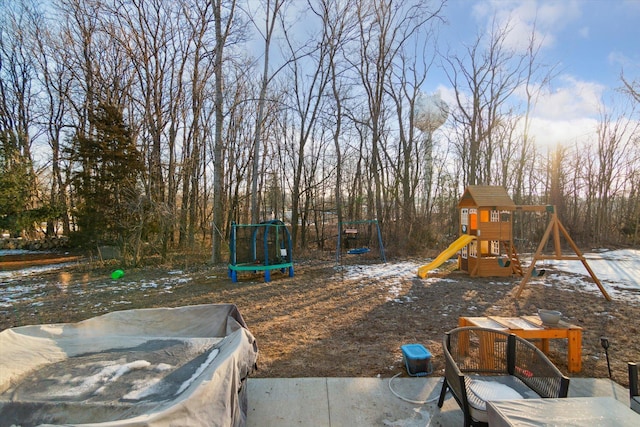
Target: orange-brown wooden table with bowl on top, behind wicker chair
(531,327)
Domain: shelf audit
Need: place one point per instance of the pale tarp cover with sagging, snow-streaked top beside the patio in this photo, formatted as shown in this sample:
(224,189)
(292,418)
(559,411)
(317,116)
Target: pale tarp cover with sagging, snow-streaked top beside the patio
(184,366)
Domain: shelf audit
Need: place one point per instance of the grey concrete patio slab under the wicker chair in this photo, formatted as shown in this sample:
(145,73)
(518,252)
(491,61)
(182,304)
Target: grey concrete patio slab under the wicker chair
(355,402)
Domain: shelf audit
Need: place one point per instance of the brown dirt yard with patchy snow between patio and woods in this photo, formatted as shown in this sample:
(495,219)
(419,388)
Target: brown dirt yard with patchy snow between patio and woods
(323,322)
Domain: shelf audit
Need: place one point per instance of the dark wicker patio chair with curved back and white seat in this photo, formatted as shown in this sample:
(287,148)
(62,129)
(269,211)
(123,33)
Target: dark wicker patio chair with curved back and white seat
(484,364)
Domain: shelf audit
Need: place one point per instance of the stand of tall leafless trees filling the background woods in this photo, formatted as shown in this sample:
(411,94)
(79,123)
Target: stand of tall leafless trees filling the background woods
(329,127)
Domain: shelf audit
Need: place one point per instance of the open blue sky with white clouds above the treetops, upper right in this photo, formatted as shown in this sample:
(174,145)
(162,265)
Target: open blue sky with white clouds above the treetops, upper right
(590,42)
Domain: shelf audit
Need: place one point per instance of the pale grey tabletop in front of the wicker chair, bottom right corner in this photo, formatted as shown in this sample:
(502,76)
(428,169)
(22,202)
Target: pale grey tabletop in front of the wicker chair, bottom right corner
(574,411)
